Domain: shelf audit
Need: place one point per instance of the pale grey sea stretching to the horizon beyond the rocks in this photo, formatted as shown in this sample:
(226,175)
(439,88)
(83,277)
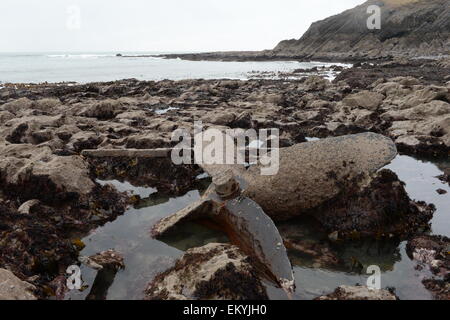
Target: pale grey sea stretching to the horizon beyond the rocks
(93,67)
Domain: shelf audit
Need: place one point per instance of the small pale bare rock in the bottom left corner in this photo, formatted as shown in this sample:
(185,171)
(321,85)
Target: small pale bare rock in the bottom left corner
(12,288)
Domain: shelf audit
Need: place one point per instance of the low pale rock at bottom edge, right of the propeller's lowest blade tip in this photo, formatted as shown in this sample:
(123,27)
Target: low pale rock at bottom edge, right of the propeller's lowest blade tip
(358,293)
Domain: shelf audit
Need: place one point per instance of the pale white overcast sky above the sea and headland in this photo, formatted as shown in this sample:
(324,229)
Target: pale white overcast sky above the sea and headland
(157,25)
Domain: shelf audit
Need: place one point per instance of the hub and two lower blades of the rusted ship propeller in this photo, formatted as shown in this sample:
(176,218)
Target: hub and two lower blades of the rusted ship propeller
(246,225)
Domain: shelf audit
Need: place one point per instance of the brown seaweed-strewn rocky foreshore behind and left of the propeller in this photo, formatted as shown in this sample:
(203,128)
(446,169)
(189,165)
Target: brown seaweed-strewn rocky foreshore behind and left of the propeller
(49,196)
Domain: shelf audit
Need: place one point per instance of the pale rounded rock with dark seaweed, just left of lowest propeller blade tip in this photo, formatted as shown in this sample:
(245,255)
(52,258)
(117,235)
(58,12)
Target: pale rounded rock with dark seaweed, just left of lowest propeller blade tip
(209,273)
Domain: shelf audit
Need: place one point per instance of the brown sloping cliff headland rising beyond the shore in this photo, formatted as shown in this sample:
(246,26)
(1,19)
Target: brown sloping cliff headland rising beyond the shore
(408,28)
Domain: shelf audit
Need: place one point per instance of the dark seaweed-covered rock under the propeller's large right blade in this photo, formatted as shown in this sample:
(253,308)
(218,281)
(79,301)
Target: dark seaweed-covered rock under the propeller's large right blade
(381,207)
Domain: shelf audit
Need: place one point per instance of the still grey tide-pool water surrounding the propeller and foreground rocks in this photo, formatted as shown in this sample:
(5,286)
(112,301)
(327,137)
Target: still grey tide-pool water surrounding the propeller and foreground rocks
(145,257)
